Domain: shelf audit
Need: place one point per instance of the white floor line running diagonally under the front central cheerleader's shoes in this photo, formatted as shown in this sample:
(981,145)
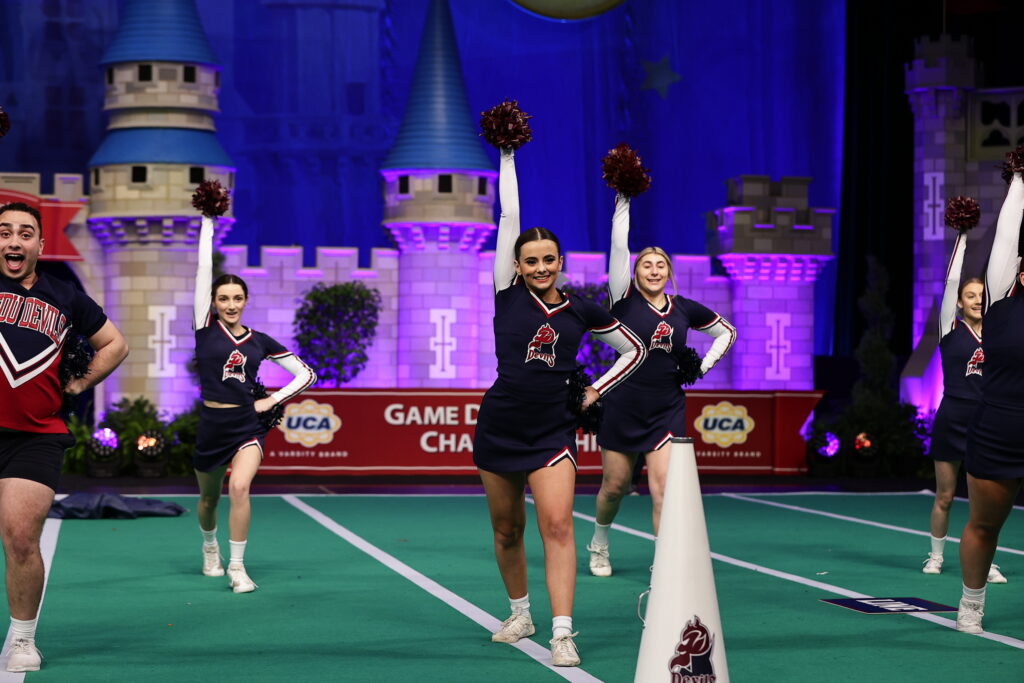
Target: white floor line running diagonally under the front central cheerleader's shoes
(491,624)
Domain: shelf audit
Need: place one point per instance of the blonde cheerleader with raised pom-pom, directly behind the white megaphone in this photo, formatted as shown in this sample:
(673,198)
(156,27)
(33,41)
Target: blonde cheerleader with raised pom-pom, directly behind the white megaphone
(649,411)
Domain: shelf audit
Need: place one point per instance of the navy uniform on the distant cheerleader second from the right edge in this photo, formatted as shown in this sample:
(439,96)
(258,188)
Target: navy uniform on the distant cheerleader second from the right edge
(963,365)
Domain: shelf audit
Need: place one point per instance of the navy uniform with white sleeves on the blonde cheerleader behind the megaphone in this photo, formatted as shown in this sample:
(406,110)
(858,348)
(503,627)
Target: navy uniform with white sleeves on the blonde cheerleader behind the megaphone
(650,409)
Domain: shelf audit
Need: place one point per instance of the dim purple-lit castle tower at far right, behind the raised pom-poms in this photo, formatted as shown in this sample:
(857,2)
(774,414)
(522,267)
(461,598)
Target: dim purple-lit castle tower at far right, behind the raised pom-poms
(962,135)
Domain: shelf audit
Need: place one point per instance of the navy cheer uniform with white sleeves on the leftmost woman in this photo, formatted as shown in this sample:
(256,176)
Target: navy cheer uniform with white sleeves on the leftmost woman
(228,372)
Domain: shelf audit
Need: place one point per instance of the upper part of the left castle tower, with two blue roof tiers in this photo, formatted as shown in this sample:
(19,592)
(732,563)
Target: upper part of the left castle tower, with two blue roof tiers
(162,84)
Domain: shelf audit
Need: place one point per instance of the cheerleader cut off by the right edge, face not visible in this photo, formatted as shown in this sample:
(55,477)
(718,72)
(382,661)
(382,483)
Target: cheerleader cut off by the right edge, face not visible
(995,453)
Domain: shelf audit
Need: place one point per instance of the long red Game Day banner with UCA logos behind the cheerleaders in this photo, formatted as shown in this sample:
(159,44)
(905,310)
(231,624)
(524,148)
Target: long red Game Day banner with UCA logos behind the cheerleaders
(431,432)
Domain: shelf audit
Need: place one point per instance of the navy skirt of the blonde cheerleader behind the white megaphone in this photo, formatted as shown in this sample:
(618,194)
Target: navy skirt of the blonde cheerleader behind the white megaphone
(642,420)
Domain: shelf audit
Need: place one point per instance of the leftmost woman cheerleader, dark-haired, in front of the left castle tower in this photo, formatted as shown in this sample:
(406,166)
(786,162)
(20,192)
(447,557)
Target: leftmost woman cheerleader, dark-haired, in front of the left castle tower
(230,433)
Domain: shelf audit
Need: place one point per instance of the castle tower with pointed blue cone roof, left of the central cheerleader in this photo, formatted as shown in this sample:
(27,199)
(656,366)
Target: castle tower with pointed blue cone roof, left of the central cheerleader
(439,207)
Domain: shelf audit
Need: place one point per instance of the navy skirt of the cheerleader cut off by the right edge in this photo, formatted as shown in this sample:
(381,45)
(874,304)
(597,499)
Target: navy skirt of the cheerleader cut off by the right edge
(995,446)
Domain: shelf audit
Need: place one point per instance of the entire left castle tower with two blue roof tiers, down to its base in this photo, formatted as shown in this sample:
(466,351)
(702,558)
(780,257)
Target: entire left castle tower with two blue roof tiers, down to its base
(162,83)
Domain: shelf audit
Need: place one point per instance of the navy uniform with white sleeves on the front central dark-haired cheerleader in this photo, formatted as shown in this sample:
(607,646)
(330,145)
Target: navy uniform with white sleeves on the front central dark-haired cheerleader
(525,422)
